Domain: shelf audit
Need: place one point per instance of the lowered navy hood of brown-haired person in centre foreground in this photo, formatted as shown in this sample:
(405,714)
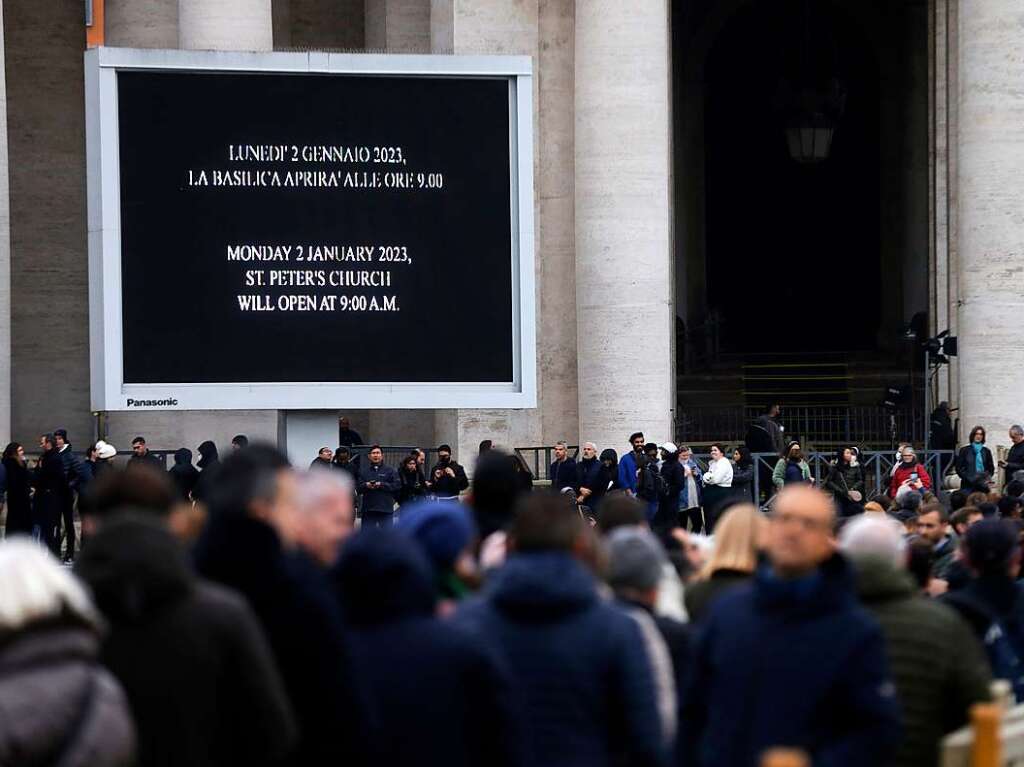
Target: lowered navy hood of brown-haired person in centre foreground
(542,587)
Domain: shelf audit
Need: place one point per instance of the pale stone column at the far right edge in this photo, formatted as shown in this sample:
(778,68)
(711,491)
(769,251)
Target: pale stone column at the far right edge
(991,179)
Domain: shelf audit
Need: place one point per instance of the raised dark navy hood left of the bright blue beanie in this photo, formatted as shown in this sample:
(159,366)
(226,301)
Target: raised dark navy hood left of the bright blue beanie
(383,577)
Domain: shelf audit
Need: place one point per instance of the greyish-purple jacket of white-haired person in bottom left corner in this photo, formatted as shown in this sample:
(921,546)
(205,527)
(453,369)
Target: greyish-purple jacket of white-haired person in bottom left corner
(58,706)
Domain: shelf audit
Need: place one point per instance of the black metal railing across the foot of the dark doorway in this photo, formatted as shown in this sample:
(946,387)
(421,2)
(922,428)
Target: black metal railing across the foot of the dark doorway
(822,425)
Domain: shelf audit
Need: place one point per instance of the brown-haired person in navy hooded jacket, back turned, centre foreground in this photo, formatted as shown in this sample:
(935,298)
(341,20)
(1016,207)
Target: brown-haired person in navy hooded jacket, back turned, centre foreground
(584,676)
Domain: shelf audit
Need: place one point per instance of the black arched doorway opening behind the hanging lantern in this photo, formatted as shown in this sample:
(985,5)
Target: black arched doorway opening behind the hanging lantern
(793,251)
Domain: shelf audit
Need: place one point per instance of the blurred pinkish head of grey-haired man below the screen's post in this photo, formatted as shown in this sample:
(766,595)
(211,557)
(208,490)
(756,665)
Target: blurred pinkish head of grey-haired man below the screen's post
(327,515)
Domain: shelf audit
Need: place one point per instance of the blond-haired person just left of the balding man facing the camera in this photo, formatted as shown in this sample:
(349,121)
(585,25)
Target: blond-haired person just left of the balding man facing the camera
(739,540)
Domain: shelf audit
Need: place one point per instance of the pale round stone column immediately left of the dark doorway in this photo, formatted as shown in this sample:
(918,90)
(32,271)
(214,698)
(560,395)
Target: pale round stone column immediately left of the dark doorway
(624,221)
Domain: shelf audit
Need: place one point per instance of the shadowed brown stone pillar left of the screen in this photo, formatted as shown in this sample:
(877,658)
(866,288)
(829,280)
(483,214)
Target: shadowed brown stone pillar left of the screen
(50,316)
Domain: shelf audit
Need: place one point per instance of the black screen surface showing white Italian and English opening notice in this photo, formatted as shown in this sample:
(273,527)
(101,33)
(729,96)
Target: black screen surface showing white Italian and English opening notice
(398,188)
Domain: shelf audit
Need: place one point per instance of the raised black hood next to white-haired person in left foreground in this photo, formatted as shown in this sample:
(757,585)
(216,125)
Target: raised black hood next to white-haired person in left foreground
(136,568)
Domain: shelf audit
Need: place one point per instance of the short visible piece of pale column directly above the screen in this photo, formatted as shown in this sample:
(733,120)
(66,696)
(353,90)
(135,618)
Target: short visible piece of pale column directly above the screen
(226,25)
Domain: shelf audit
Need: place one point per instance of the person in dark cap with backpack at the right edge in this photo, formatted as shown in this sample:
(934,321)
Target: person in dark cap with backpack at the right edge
(993,603)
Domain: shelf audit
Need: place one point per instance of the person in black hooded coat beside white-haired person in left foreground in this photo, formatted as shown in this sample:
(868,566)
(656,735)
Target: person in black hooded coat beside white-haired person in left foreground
(193,660)
